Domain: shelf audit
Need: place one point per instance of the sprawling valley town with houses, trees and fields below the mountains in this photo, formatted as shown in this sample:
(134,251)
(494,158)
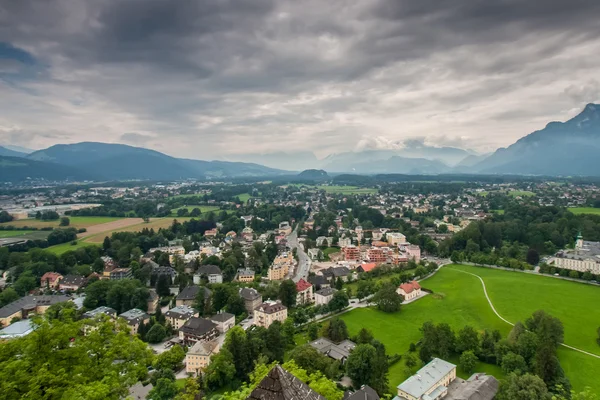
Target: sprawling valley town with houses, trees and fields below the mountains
(336,290)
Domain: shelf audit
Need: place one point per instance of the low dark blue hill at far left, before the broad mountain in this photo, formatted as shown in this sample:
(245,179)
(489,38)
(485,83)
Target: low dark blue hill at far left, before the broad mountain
(17,169)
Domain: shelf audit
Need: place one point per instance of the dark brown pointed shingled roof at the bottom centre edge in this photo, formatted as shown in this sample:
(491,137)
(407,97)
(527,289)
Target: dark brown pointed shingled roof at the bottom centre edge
(281,385)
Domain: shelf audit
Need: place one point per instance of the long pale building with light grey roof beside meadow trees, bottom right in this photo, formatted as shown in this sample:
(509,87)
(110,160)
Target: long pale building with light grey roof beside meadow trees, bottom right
(429,383)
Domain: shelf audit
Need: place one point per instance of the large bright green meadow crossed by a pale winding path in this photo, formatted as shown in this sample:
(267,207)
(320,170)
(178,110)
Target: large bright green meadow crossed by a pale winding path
(459,300)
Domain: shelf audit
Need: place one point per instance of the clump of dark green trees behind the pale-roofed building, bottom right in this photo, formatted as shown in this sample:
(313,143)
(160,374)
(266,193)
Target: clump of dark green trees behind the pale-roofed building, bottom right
(528,354)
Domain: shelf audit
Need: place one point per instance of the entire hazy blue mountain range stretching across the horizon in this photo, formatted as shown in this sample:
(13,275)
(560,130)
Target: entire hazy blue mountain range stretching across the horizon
(568,148)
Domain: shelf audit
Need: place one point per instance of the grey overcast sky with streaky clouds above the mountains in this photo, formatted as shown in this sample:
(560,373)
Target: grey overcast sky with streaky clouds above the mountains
(219,79)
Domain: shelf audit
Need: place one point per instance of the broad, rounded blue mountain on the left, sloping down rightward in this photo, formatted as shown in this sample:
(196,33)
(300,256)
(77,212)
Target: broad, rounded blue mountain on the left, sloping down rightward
(121,162)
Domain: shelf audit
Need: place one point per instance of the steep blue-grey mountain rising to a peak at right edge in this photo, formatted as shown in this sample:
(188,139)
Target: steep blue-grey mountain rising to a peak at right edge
(561,148)
